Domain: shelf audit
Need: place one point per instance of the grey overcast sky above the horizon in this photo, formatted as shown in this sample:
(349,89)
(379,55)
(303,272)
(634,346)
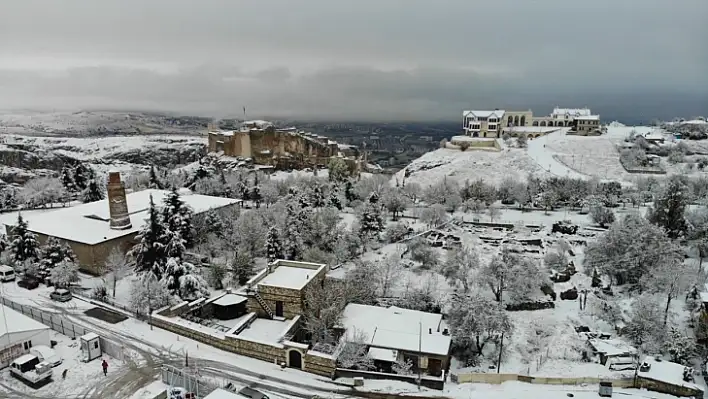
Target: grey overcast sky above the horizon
(356,59)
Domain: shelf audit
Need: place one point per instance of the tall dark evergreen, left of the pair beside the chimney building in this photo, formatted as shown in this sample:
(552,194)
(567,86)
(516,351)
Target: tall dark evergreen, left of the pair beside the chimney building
(149,252)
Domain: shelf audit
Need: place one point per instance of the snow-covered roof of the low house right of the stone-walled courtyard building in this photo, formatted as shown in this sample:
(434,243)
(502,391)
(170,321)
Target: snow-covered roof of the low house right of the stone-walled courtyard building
(399,329)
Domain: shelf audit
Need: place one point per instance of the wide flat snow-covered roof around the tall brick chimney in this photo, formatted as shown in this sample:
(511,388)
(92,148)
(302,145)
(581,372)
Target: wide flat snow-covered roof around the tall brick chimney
(89,223)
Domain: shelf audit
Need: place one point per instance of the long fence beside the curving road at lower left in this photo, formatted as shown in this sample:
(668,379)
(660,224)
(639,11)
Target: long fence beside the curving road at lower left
(62,325)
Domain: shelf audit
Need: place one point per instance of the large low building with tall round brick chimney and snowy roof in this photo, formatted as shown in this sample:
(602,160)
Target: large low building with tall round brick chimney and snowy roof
(92,230)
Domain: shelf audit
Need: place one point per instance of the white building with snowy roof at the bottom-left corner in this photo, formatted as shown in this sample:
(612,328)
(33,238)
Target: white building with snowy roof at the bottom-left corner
(18,334)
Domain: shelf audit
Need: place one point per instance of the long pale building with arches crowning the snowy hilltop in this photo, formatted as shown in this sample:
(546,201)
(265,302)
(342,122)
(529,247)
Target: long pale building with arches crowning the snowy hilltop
(581,121)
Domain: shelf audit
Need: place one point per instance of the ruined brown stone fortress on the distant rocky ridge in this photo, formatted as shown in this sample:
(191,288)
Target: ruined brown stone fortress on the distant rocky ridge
(281,148)
